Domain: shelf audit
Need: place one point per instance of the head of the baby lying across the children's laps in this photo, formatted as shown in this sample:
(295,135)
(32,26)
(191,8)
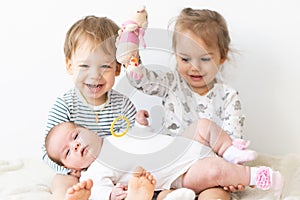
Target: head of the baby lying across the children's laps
(72,146)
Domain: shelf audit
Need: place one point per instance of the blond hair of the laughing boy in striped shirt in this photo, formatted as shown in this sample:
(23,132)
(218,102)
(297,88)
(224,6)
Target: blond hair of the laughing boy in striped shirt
(96,30)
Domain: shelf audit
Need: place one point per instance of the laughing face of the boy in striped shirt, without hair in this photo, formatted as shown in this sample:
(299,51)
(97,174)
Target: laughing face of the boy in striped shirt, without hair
(93,72)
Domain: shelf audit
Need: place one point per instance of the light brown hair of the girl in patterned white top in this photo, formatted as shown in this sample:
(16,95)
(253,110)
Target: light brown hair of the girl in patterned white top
(209,25)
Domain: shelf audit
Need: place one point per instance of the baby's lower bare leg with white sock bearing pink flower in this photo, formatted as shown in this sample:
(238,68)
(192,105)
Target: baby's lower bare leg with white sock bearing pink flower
(214,171)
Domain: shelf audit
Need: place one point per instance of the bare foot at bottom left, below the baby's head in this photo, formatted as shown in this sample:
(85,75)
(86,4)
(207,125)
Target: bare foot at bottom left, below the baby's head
(80,191)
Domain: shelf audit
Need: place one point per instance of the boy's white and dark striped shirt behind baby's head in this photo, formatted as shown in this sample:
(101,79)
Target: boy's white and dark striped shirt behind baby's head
(71,106)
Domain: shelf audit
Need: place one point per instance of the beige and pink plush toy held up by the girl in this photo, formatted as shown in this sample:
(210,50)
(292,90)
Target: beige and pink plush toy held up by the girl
(131,35)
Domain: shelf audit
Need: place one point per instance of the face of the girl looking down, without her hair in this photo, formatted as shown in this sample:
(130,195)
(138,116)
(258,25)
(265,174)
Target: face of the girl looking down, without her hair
(197,63)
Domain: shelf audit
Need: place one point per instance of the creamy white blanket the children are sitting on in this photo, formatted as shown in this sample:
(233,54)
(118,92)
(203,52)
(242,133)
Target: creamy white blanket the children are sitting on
(30,179)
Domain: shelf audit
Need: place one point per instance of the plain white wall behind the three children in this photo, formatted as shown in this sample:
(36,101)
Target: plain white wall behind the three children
(265,33)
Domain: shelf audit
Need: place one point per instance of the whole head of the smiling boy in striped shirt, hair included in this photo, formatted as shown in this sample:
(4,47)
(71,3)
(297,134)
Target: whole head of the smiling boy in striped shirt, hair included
(90,54)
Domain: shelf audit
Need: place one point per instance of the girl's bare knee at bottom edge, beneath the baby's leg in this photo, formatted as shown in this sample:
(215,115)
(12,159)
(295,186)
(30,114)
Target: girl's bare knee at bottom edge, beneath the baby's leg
(216,193)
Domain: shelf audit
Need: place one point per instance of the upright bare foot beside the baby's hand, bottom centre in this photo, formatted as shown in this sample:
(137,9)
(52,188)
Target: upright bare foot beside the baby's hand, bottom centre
(141,185)
